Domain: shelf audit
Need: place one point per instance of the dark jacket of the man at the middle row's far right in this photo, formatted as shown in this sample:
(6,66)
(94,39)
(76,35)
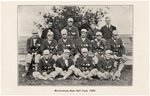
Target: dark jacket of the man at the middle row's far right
(116,46)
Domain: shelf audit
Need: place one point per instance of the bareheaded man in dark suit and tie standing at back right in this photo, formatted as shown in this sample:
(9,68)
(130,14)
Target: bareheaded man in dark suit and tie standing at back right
(107,29)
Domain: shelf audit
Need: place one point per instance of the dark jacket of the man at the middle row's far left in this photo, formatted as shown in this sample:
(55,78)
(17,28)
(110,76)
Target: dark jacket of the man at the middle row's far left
(30,45)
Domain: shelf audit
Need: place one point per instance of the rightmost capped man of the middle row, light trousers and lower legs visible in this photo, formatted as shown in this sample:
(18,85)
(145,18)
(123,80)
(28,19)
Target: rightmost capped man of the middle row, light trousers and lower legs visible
(115,44)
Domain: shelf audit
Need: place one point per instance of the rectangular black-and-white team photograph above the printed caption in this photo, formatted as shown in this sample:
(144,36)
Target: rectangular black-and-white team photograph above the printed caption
(72,45)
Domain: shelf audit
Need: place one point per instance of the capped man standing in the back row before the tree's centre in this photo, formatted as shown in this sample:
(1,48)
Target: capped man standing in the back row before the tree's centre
(73,32)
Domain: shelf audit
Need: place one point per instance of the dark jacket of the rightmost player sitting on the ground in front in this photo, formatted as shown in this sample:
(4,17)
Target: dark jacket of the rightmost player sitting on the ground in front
(106,65)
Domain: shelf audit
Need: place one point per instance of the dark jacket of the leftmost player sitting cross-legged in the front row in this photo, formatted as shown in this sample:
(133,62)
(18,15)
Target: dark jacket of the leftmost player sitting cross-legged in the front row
(46,66)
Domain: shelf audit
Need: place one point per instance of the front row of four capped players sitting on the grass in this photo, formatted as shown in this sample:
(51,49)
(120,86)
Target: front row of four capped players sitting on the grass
(84,67)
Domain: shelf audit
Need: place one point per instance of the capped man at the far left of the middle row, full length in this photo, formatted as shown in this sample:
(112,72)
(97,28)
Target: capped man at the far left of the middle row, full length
(33,52)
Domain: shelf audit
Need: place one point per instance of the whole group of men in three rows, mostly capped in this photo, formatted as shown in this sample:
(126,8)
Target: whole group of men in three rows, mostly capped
(95,52)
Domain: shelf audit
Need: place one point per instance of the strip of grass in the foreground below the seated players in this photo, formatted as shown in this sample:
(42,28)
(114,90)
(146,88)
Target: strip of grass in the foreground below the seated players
(125,80)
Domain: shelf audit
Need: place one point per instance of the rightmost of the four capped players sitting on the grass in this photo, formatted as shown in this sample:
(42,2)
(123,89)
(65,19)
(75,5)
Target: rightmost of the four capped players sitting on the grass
(105,66)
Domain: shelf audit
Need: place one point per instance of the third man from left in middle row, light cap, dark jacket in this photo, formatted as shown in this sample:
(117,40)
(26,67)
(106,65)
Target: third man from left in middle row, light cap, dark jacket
(65,43)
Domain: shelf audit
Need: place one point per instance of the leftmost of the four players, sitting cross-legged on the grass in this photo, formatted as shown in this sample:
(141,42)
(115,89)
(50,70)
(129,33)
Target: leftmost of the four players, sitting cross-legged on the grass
(46,68)
